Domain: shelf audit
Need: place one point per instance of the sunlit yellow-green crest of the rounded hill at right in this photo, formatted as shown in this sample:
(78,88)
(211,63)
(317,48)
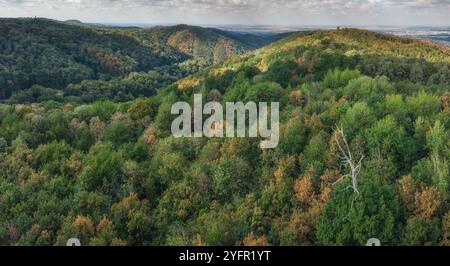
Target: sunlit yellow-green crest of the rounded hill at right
(356,42)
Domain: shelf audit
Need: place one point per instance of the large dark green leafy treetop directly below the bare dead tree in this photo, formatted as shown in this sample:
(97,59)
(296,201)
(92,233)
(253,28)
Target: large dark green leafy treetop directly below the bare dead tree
(375,213)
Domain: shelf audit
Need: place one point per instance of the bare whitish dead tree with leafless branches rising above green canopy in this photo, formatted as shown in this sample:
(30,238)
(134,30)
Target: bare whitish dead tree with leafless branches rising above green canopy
(347,159)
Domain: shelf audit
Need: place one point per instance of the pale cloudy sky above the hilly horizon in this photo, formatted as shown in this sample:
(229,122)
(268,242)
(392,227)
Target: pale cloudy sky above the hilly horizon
(247,12)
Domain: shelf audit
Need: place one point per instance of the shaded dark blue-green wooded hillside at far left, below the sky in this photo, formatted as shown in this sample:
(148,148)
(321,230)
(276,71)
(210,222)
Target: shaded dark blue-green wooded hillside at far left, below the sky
(53,54)
